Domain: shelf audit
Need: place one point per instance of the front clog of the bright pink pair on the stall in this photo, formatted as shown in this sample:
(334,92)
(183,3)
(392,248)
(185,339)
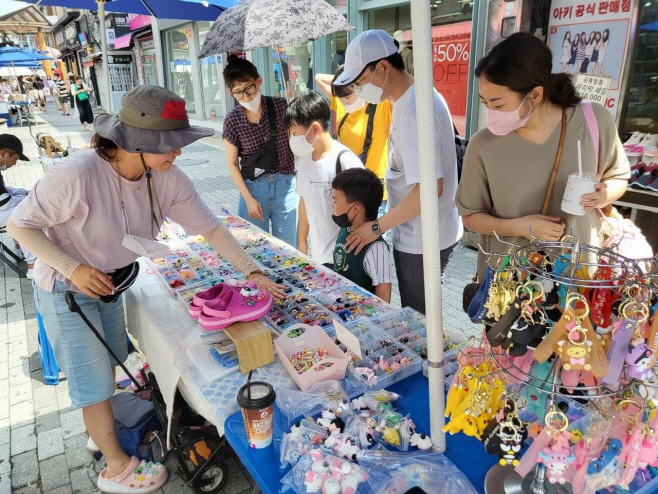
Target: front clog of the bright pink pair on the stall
(248,304)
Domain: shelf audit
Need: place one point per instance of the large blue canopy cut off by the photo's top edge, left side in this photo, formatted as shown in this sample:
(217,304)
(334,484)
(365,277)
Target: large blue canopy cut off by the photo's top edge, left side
(193,10)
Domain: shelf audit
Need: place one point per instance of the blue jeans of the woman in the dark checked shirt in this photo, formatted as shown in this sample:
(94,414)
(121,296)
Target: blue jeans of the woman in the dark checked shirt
(279,200)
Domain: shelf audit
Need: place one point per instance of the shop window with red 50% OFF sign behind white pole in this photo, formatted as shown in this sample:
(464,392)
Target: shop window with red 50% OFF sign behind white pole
(451,45)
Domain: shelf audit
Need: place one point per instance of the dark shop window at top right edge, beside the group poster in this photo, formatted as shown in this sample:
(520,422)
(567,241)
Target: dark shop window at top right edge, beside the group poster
(642,106)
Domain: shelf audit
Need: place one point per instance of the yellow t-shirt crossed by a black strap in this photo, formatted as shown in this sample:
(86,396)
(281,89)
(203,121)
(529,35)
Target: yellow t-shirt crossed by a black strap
(353,134)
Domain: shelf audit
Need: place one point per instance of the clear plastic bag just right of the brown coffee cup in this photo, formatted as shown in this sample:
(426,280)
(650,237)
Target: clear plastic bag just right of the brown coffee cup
(325,395)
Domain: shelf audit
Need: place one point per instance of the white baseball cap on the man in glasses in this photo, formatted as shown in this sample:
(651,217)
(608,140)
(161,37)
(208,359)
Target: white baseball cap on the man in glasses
(369,46)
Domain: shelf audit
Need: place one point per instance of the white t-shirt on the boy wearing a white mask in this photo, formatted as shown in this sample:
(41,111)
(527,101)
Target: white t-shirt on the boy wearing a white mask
(314,186)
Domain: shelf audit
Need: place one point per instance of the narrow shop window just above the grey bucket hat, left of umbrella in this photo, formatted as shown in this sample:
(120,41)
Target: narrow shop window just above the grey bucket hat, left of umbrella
(179,64)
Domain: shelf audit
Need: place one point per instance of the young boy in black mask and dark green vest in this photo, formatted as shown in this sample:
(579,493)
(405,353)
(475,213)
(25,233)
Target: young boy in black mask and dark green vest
(357,194)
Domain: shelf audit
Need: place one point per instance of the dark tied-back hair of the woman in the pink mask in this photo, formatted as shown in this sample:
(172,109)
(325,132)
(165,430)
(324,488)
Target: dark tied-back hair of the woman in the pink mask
(521,63)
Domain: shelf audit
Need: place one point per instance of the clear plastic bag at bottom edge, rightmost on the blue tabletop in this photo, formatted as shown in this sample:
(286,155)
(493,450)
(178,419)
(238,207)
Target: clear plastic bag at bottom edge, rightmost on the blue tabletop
(391,472)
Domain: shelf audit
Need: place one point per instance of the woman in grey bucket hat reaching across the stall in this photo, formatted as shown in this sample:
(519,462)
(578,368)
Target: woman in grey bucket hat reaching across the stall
(102,209)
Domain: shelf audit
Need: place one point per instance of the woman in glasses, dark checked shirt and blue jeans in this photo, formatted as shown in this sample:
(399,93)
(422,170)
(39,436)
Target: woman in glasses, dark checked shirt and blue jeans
(262,166)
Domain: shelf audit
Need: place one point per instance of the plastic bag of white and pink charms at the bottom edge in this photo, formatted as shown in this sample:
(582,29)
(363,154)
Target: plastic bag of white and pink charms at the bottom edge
(321,471)
